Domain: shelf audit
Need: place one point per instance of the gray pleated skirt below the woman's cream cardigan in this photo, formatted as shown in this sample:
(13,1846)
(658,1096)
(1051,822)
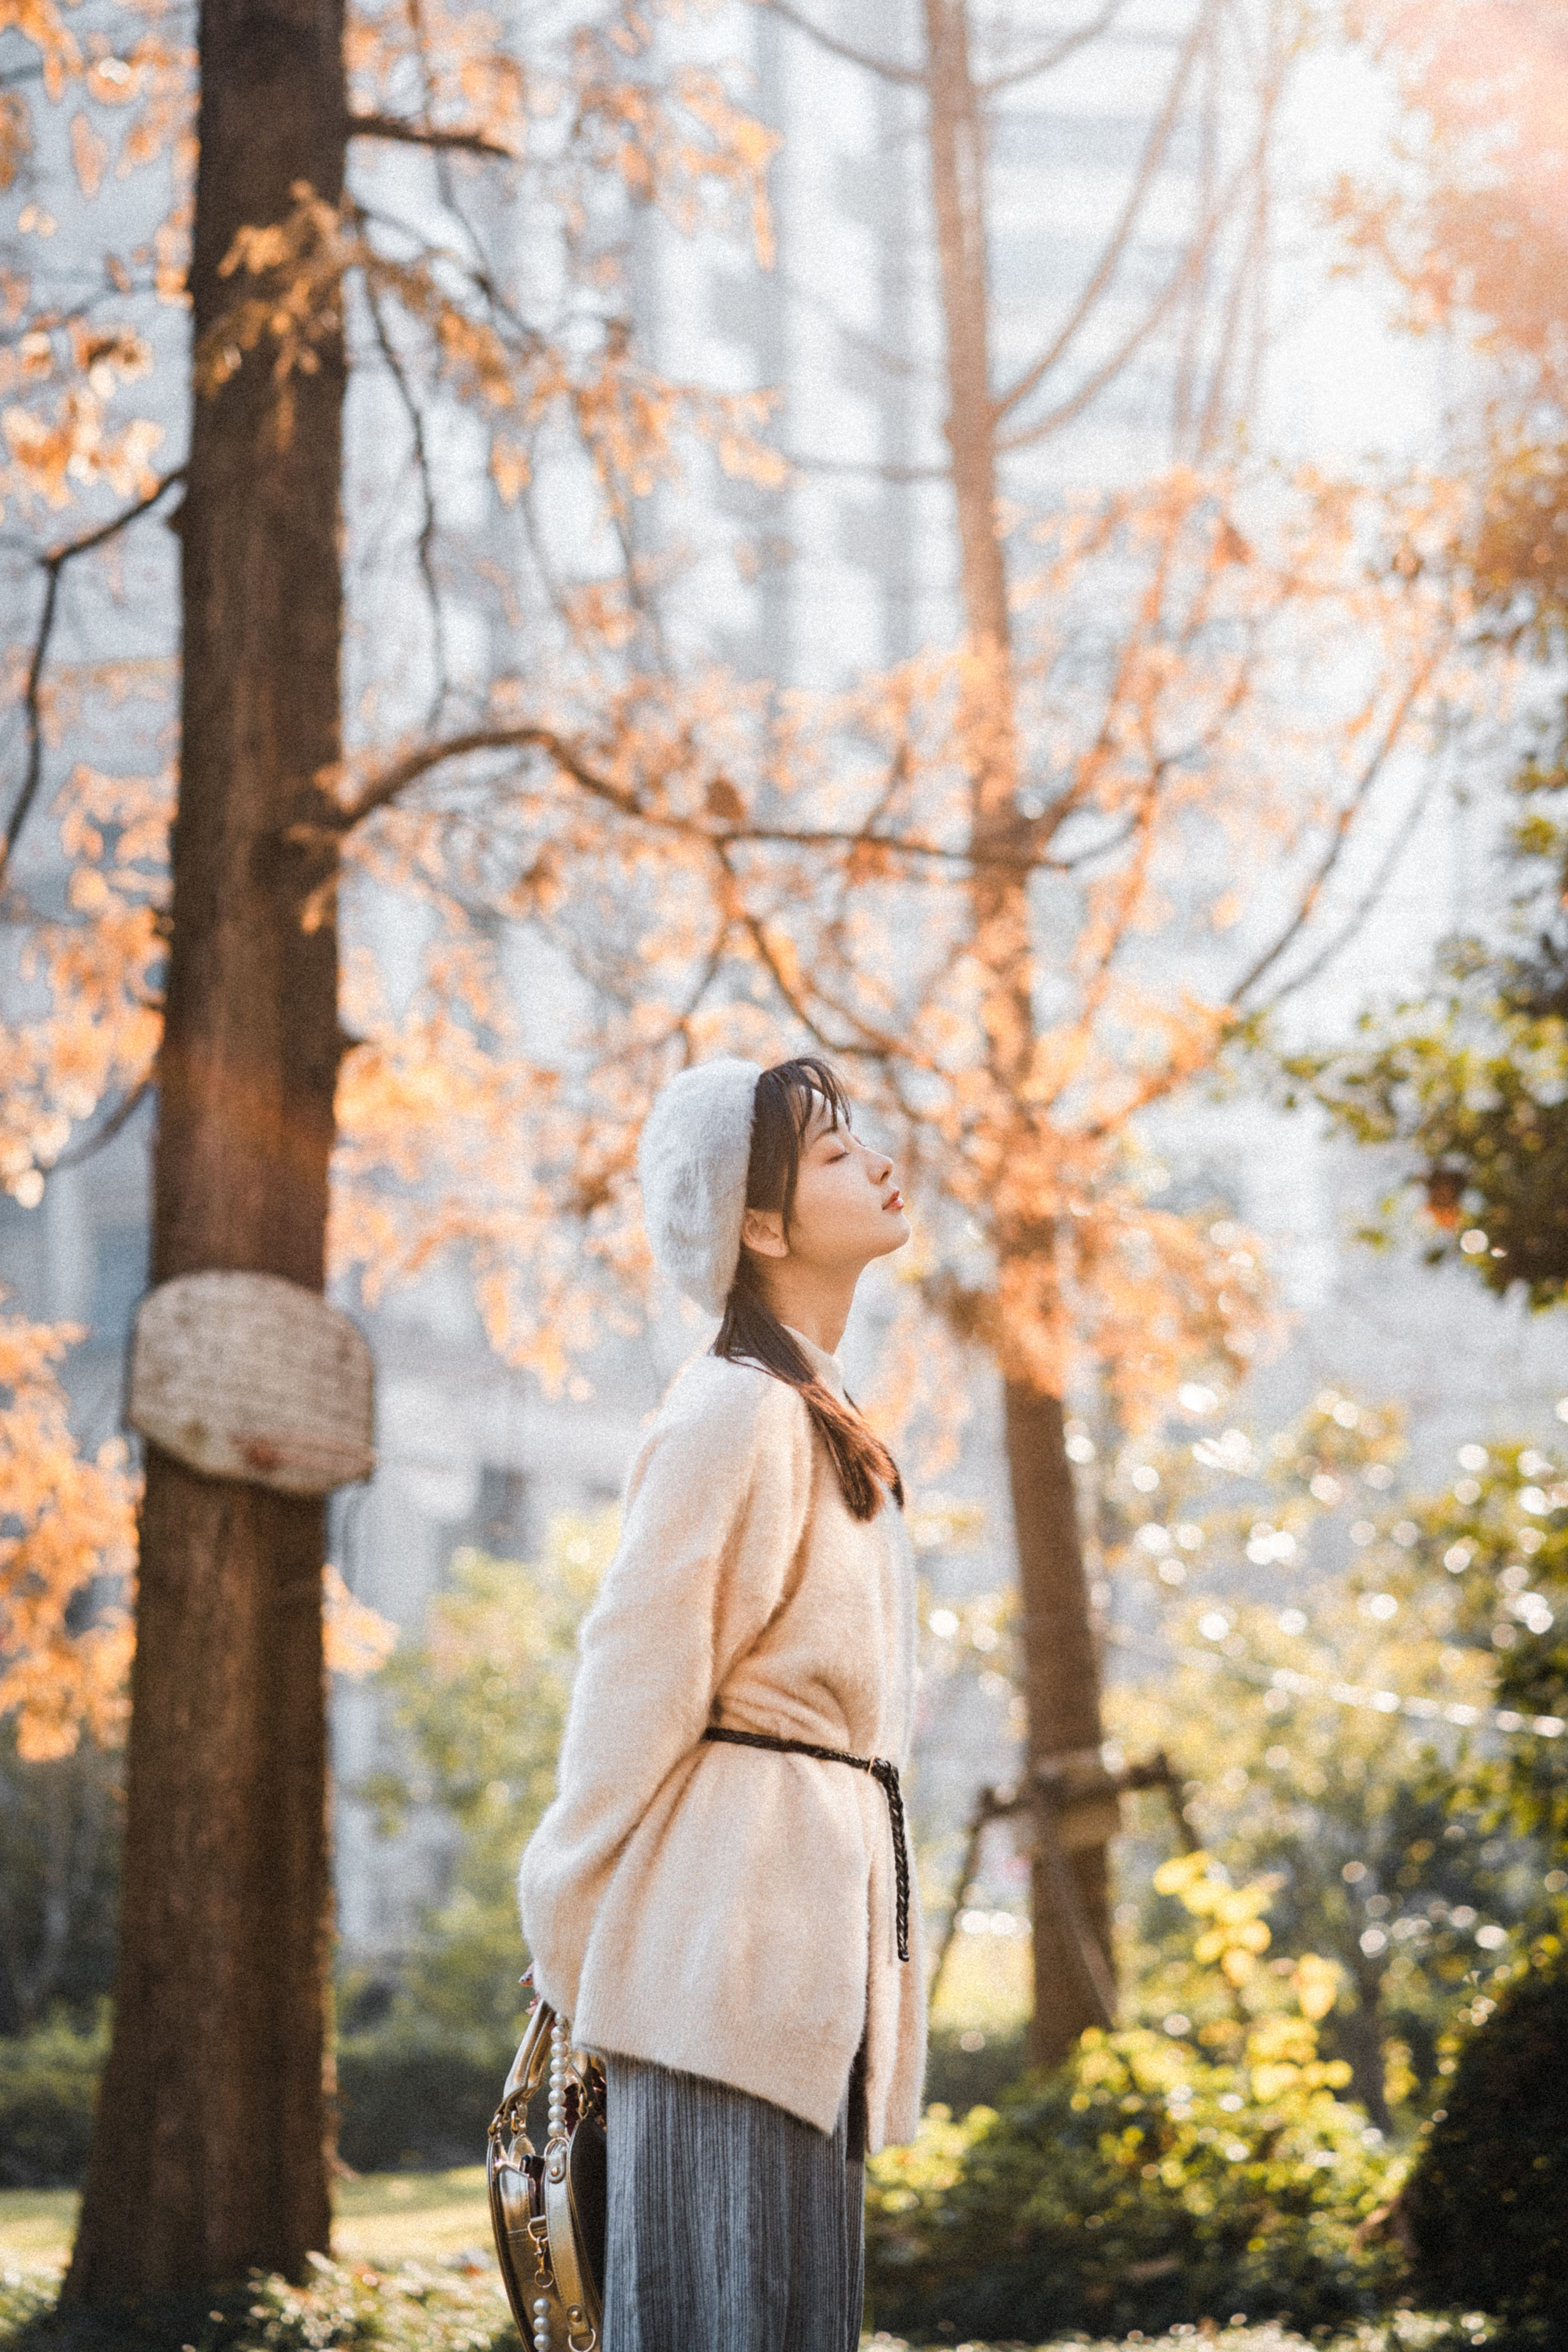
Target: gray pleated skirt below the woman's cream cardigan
(732,2226)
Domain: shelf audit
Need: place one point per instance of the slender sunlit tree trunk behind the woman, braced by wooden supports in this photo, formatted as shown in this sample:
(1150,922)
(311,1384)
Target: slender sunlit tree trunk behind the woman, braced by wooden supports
(1061,1664)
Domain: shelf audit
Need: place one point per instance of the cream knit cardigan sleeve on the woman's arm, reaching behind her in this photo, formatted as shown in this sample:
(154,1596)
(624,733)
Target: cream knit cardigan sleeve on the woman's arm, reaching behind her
(716,1511)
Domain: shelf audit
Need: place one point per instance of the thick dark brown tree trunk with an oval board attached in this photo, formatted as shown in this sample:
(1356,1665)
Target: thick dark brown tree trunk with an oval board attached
(213,2144)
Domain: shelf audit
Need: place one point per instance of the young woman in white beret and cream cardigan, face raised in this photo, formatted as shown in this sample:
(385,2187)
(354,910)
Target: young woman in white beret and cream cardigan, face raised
(721,1895)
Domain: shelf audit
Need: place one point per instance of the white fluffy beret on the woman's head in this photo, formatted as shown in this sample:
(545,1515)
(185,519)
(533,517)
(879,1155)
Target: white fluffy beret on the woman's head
(692,1161)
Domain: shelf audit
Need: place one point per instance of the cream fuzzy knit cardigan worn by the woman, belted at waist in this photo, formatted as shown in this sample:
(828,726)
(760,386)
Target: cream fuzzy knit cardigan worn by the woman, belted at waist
(713,1909)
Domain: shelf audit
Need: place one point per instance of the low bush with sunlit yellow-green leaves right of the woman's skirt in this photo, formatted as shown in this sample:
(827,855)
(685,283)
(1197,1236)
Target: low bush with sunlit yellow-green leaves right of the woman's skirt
(1137,2189)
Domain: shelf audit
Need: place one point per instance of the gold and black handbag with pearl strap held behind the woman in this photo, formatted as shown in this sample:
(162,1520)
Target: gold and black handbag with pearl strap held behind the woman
(549,2210)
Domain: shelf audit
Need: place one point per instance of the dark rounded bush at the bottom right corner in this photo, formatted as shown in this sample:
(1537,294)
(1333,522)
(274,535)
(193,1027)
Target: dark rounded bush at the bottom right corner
(1489,2198)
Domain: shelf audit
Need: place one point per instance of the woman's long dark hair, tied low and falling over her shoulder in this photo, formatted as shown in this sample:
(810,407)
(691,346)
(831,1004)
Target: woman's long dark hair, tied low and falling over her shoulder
(751,1332)
